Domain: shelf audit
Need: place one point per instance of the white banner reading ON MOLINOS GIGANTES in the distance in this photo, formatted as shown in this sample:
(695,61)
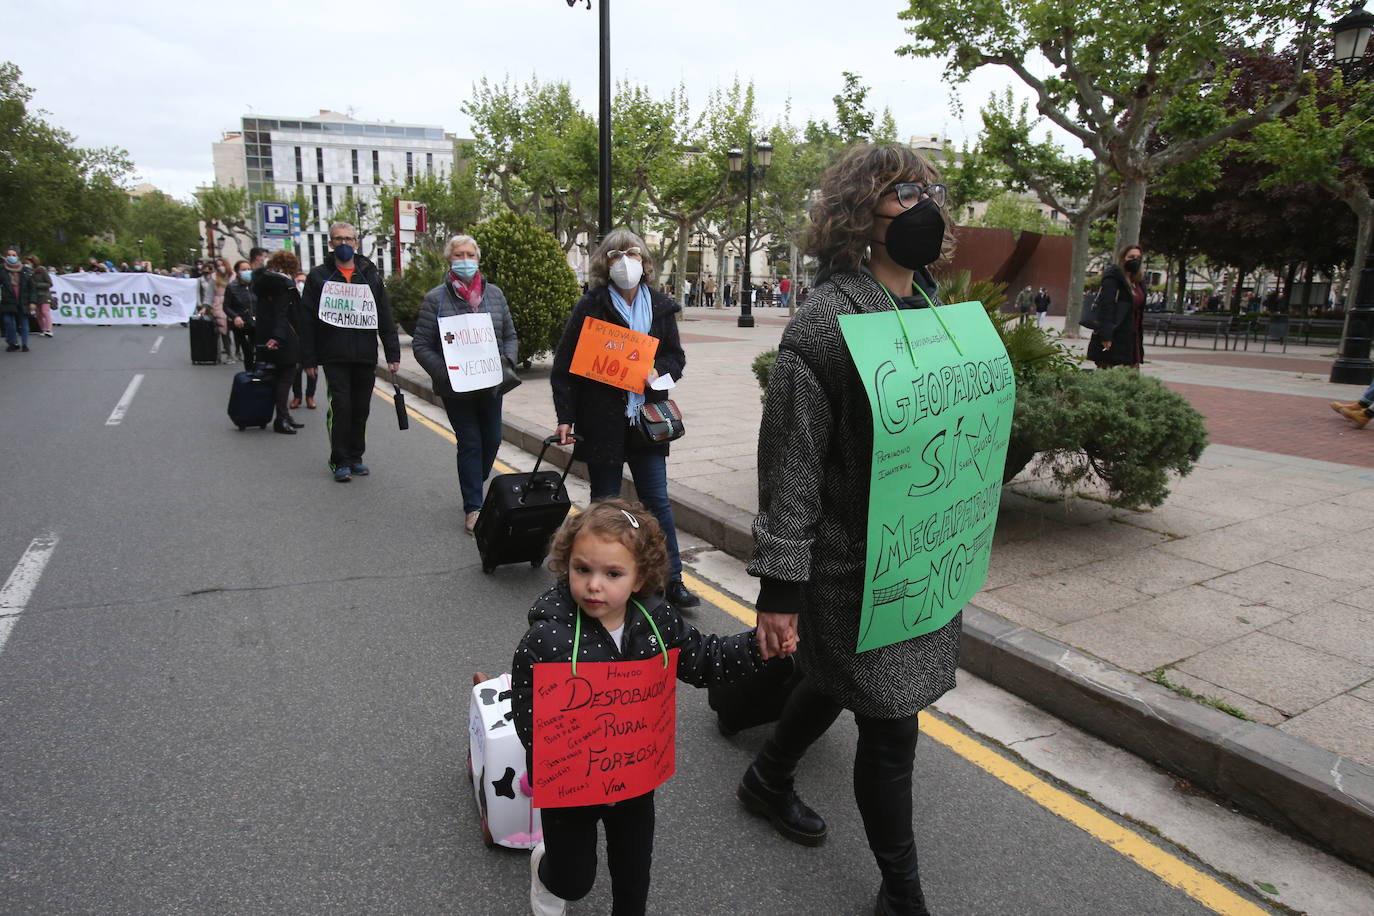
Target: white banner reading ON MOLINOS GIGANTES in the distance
(123,299)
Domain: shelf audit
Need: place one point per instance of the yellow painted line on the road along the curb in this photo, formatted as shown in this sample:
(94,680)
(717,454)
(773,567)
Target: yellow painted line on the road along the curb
(1169,869)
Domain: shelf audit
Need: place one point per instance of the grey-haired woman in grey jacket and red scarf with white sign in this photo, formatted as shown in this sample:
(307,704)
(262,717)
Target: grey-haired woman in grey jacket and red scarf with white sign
(476,417)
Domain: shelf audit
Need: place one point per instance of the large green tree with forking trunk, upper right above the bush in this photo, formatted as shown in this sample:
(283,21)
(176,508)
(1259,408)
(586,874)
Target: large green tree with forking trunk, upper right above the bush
(1123,78)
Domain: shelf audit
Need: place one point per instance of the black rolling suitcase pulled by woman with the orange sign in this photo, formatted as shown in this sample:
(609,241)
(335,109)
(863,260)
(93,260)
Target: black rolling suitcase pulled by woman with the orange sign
(521,514)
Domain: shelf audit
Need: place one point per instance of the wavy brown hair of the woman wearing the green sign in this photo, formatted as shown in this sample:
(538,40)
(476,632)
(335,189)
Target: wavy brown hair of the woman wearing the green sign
(842,216)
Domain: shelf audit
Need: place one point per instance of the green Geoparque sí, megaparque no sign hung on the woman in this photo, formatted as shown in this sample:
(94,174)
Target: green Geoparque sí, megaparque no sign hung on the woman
(942,392)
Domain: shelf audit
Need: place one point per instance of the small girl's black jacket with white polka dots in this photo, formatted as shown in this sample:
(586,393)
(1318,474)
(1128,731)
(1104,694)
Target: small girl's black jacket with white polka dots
(703,659)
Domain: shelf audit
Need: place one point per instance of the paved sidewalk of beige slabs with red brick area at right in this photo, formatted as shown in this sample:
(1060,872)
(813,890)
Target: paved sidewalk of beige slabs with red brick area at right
(1248,587)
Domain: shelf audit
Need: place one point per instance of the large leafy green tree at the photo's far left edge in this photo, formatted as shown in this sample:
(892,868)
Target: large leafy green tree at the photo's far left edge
(54,194)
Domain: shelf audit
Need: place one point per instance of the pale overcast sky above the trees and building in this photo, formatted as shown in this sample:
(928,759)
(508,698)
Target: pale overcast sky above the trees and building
(164,79)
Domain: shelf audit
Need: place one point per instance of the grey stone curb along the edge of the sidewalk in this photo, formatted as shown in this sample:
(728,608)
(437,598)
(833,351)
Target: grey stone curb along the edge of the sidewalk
(1283,779)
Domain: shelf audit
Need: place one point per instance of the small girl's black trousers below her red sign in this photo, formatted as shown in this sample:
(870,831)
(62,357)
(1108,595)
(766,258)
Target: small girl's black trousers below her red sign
(570,867)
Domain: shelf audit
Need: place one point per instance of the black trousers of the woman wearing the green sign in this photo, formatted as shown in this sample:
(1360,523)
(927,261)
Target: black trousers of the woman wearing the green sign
(883,775)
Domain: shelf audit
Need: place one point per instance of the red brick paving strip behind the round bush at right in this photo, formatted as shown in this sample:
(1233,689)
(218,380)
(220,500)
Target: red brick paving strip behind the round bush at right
(1287,424)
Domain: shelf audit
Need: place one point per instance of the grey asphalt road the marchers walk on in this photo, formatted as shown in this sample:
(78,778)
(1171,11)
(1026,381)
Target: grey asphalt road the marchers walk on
(240,687)
